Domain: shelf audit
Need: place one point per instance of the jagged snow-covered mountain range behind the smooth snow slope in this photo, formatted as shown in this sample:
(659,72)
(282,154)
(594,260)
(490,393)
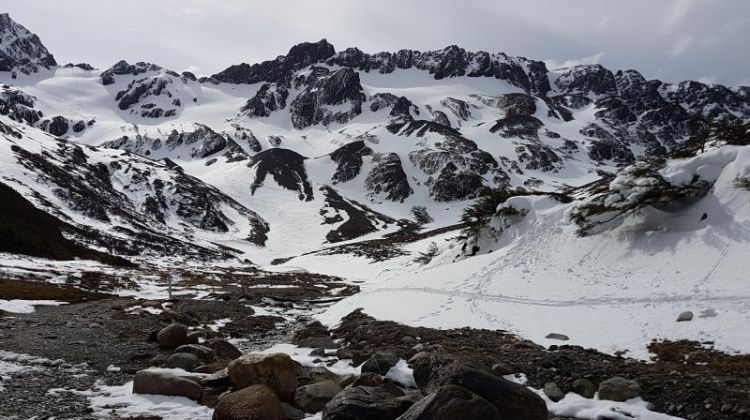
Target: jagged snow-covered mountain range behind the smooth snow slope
(284,142)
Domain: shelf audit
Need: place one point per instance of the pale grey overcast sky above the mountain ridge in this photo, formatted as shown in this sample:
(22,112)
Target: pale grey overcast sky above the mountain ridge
(672,40)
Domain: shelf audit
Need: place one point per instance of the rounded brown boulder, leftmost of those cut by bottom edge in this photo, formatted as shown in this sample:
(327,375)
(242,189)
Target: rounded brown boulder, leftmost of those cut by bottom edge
(257,402)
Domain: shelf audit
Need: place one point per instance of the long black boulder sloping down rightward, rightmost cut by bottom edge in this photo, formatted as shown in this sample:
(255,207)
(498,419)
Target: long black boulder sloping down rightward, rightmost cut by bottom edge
(513,401)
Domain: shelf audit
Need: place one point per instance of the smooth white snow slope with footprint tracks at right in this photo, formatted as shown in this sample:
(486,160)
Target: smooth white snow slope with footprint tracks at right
(614,291)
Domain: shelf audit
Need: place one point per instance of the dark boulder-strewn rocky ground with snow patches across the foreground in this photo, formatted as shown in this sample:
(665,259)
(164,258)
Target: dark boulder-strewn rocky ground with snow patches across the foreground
(213,351)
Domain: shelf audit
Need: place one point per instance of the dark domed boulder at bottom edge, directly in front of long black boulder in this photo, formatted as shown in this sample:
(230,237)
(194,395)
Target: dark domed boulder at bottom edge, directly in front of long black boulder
(451,402)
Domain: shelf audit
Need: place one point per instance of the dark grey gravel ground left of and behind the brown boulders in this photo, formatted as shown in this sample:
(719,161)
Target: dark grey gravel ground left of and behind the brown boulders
(77,345)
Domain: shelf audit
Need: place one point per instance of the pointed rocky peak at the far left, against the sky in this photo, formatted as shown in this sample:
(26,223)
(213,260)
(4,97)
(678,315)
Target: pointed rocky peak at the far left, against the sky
(20,49)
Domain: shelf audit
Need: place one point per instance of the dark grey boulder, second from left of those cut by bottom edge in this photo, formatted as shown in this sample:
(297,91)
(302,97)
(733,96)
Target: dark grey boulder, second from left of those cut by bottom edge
(365,403)
